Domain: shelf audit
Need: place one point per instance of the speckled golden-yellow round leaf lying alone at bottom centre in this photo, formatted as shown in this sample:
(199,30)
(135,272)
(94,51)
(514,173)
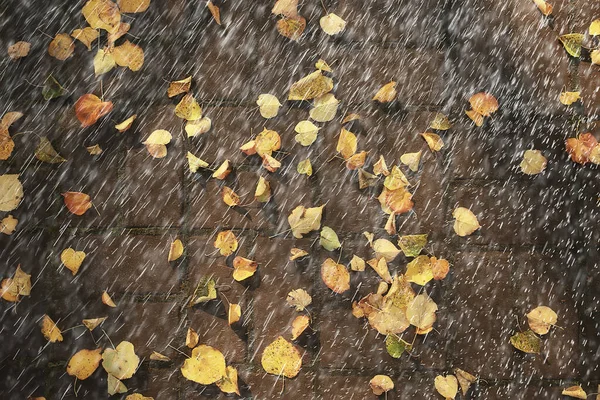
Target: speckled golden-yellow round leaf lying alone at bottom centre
(281,358)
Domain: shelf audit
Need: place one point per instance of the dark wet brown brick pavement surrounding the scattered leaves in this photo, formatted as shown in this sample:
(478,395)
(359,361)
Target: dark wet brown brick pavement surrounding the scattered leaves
(538,244)
